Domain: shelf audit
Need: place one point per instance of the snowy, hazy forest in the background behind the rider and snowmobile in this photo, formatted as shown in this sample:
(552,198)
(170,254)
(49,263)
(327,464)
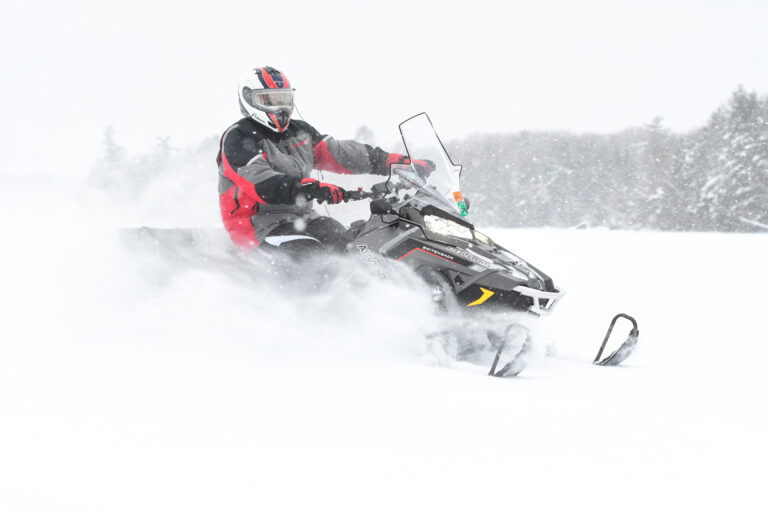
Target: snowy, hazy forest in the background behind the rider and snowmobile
(714,178)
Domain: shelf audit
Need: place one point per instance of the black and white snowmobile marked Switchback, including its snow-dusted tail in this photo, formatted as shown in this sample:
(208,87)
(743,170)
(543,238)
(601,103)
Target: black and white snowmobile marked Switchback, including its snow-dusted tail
(487,295)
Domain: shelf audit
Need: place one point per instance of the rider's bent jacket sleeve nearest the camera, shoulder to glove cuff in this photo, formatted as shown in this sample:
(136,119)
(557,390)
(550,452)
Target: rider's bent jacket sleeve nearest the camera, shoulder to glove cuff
(245,165)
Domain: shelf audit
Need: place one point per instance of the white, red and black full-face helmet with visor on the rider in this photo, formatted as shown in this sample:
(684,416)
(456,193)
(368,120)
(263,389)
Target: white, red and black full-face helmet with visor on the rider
(267,98)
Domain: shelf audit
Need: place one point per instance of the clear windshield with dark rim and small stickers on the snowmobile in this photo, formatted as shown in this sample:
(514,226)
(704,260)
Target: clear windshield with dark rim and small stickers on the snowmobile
(443,182)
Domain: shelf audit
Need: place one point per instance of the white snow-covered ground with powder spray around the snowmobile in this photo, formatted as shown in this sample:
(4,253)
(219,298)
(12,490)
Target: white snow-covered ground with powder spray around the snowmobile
(127,385)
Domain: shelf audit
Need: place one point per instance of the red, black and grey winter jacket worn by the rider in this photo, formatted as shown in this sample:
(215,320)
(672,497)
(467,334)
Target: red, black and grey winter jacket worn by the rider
(260,172)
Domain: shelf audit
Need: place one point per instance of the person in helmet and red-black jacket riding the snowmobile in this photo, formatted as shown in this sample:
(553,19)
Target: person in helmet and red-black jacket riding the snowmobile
(265,160)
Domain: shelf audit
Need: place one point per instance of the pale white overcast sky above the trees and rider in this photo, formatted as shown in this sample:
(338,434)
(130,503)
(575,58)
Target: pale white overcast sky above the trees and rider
(158,68)
